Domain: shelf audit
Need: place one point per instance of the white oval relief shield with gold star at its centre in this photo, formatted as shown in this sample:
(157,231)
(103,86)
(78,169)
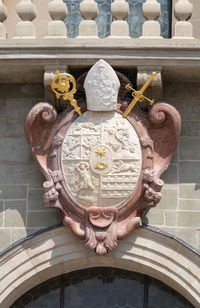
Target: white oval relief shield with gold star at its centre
(101,159)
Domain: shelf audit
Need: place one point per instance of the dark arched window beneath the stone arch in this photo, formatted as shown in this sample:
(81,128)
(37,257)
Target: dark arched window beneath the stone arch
(102,287)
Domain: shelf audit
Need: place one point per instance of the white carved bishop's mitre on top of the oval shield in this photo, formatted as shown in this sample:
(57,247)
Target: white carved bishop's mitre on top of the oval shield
(101,87)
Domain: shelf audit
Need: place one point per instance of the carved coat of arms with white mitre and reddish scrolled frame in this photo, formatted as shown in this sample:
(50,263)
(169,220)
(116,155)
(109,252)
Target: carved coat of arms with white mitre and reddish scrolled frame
(102,169)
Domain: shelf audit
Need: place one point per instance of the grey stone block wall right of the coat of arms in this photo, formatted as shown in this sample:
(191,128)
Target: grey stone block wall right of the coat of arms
(179,210)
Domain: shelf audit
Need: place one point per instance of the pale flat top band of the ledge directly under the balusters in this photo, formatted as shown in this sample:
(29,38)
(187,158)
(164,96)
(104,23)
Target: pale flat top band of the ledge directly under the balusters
(105,43)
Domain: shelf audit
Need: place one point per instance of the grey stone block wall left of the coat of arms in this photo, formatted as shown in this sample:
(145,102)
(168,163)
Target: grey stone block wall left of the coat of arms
(22,210)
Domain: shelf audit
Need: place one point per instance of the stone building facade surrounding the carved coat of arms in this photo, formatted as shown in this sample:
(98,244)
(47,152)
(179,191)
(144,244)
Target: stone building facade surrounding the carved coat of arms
(40,37)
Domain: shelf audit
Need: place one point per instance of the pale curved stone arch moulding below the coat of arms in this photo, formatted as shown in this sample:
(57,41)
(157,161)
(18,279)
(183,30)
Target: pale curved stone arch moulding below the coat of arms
(57,251)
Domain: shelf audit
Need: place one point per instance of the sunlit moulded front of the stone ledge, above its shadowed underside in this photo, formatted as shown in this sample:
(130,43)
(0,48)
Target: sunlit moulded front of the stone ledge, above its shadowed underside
(76,49)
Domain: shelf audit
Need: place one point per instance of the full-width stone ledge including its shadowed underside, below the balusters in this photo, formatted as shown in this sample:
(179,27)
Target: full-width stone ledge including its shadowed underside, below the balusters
(26,60)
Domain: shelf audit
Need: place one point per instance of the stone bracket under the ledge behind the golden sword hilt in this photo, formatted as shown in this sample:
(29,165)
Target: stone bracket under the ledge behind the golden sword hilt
(155,89)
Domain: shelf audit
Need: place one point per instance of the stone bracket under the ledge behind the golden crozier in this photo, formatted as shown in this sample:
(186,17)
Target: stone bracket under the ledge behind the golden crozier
(49,74)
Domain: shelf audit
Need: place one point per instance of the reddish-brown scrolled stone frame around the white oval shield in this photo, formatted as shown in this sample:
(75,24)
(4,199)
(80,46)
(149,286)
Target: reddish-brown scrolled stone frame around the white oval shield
(158,132)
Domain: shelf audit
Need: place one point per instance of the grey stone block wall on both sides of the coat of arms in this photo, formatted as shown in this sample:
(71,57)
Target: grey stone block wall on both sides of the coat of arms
(22,210)
